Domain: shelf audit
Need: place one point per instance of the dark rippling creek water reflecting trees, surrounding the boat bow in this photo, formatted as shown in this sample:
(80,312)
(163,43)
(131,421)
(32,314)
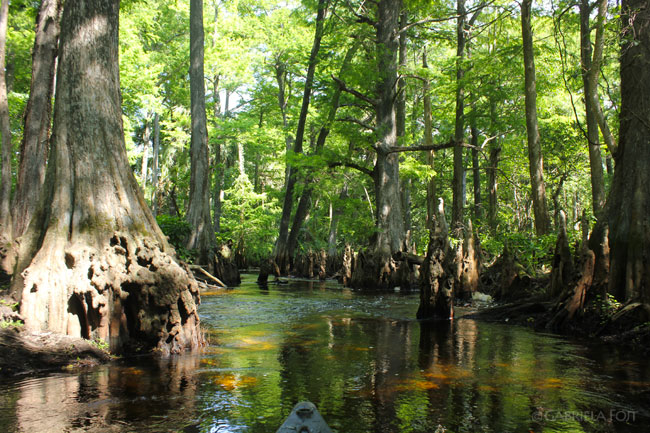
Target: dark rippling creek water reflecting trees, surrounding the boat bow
(361,358)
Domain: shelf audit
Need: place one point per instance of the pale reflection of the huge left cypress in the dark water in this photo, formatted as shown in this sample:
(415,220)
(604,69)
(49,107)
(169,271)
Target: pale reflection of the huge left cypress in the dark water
(157,393)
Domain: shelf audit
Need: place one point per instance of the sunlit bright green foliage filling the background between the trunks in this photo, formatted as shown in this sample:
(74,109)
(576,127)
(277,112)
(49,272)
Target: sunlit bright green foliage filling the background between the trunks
(253,46)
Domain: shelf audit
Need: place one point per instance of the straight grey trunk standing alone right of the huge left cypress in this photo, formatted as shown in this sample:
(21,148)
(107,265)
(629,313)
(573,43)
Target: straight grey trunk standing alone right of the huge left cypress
(198,213)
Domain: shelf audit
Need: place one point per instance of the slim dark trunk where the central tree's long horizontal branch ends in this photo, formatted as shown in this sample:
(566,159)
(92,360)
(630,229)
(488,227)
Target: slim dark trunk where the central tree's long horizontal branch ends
(459,130)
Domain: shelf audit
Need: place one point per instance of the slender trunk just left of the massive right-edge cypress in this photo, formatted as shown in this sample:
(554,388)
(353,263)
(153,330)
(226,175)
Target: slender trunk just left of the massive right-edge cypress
(590,83)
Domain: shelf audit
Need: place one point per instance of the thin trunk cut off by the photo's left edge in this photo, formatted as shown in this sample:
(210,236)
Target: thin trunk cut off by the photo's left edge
(5,130)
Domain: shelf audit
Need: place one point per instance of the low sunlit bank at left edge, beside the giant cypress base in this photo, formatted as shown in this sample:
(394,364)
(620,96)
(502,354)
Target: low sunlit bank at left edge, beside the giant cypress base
(25,352)
